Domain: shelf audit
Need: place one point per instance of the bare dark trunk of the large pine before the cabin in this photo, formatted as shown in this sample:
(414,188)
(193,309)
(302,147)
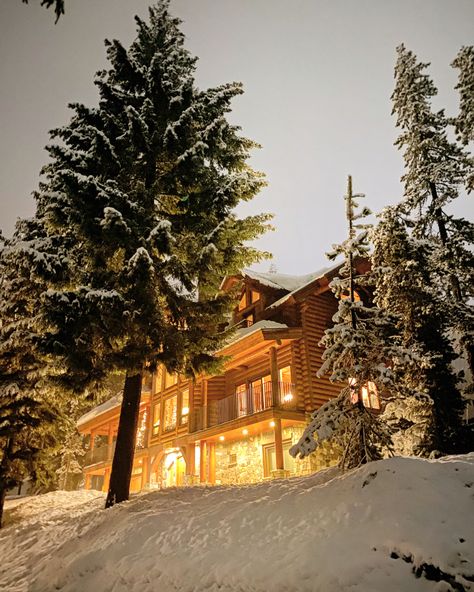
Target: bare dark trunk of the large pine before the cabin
(122,464)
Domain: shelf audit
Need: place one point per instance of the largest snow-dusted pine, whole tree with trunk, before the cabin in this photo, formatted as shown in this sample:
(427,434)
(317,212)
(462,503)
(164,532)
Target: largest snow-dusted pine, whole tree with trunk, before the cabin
(143,188)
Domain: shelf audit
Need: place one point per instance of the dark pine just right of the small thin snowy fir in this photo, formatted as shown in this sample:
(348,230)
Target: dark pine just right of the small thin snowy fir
(427,410)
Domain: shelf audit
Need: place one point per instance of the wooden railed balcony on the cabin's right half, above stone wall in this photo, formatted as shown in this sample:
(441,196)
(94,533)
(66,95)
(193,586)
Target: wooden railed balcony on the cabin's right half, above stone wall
(241,404)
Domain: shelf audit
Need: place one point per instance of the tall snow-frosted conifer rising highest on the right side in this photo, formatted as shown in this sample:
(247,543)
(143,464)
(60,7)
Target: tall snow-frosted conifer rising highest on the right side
(437,169)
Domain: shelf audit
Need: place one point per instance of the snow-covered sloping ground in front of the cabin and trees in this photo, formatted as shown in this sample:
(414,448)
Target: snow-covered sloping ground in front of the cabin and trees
(396,525)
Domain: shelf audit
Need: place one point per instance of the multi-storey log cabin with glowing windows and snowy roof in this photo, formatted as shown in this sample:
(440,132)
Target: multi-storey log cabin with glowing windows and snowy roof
(236,427)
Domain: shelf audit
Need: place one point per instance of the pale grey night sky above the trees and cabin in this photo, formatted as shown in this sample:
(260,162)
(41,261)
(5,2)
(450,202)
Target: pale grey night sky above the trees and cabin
(317,74)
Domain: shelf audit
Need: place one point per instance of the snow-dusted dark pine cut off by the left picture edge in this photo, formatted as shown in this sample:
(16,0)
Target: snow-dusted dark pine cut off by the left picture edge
(29,401)
